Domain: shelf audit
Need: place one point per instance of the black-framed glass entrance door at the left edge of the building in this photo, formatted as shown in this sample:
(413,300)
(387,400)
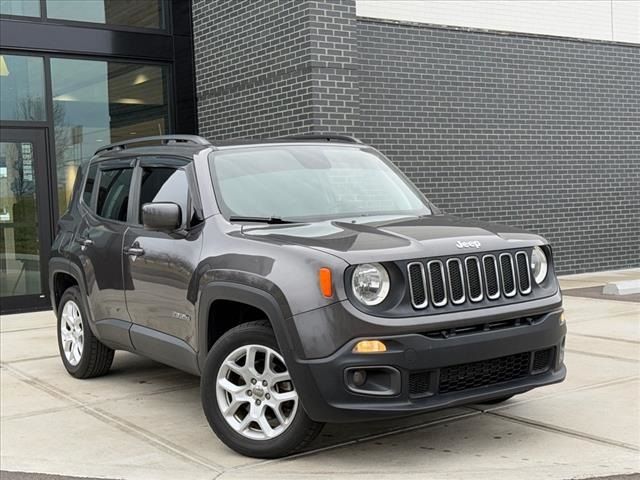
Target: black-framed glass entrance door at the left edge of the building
(25,220)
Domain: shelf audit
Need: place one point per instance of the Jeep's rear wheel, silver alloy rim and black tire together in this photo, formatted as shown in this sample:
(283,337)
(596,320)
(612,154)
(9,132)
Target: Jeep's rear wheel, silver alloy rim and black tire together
(83,355)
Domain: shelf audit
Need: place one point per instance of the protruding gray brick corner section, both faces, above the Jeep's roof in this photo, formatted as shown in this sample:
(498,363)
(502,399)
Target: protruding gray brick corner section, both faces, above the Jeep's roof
(268,68)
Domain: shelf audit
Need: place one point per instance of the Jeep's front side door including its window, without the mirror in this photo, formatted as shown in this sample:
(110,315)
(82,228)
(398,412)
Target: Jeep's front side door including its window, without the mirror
(159,266)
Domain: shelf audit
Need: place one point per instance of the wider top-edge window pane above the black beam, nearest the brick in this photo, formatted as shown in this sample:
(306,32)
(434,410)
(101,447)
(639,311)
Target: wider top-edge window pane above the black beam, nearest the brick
(138,13)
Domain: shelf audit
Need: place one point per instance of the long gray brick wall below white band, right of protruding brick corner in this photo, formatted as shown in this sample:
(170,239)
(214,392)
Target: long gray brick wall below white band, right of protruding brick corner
(538,133)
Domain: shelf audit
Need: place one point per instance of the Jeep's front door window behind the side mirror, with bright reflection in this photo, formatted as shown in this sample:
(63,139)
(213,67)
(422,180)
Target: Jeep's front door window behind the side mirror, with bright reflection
(162,184)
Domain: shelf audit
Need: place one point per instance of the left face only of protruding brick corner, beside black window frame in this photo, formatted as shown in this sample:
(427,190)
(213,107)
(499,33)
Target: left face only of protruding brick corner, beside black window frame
(253,71)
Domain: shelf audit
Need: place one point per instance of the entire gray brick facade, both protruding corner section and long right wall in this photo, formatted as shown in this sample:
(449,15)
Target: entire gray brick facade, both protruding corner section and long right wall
(541,133)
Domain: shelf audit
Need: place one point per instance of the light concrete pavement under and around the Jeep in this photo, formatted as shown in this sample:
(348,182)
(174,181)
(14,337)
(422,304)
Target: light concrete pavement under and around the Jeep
(144,420)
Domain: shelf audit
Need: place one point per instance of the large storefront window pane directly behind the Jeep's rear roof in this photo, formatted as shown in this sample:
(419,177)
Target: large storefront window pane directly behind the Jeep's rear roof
(96,103)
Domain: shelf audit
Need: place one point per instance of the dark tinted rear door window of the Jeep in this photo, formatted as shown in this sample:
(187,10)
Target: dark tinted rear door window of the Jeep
(113,193)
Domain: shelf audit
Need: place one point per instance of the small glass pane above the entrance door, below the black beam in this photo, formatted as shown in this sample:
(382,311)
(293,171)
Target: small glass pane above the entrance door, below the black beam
(22,88)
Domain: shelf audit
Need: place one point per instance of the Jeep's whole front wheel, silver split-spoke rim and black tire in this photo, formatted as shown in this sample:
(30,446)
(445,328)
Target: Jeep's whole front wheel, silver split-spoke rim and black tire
(249,398)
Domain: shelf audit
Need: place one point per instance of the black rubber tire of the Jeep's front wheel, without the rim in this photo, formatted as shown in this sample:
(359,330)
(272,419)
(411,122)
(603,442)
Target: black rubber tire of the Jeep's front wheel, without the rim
(298,434)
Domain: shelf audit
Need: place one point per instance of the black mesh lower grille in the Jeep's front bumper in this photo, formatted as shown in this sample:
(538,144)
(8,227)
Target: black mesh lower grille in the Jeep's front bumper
(485,373)
